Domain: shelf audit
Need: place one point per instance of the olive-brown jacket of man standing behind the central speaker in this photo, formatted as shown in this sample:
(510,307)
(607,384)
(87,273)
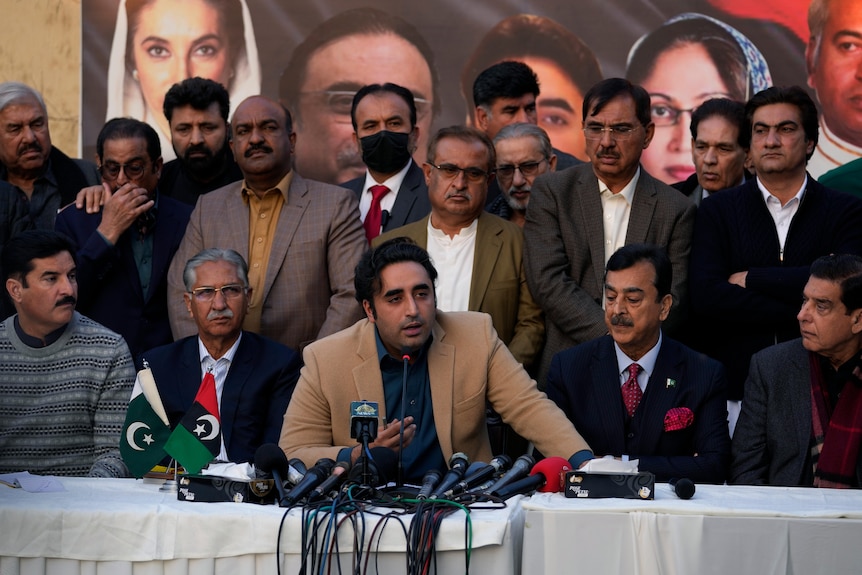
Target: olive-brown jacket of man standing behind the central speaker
(499,283)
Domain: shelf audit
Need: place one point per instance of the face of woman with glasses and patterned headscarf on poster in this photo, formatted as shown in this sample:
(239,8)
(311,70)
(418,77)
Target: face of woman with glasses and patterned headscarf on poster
(682,78)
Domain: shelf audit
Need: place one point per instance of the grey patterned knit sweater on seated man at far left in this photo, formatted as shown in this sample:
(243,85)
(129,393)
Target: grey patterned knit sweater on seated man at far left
(62,407)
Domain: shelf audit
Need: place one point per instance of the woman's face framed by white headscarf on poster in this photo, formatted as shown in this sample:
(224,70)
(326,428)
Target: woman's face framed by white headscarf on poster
(174,40)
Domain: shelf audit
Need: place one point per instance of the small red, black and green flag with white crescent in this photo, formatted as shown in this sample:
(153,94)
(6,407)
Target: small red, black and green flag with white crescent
(197,439)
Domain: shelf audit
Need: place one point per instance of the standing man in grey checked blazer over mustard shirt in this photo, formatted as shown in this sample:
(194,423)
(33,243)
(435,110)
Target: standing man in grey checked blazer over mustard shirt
(301,238)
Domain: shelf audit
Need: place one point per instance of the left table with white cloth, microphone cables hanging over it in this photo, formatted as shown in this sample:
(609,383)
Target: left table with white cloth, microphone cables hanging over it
(124,526)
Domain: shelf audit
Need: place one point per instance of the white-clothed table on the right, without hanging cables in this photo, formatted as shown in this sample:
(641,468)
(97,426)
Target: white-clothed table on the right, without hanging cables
(722,530)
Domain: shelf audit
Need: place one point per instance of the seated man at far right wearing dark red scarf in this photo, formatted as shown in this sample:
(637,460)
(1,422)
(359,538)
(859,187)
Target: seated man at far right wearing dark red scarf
(801,421)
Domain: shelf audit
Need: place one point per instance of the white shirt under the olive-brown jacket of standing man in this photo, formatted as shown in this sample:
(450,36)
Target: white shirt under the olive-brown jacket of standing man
(453,258)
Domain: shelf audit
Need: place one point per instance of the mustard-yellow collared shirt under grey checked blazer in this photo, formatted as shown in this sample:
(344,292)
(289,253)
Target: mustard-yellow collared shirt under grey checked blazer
(263,216)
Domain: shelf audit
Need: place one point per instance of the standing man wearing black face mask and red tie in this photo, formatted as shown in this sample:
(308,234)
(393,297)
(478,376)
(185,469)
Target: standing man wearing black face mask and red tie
(393,192)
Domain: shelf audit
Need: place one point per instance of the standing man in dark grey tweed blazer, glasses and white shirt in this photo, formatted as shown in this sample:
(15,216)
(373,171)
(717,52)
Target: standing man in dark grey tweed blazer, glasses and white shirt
(580,216)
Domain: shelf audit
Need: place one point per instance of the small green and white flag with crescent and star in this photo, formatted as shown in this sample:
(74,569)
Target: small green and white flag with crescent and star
(146,430)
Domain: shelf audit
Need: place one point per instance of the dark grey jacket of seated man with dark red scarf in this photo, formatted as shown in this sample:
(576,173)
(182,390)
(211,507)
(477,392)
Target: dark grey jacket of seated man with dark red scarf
(772,440)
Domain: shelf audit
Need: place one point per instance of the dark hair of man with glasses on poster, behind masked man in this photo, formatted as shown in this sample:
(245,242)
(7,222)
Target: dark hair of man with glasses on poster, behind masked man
(356,22)
